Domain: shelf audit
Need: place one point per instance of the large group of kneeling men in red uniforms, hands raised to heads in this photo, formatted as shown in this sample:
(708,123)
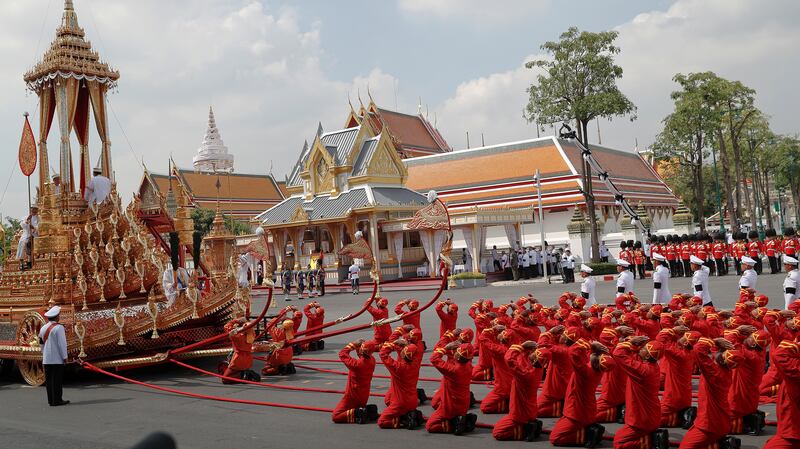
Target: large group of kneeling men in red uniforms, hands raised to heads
(550,361)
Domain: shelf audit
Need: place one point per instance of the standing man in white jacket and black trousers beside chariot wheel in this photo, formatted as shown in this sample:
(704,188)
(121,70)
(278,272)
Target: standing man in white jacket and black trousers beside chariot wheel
(54,356)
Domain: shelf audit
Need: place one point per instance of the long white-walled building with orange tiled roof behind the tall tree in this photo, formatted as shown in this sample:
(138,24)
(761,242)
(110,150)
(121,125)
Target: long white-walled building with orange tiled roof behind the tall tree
(491,195)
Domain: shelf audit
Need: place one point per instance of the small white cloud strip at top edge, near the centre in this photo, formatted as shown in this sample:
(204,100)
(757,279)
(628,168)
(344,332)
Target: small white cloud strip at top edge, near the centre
(476,11)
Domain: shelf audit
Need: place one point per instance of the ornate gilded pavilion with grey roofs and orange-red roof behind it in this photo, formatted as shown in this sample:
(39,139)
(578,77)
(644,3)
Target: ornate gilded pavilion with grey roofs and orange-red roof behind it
(353,179)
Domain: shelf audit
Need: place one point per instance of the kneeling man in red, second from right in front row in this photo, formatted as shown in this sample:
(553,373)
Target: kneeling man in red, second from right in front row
(713,411)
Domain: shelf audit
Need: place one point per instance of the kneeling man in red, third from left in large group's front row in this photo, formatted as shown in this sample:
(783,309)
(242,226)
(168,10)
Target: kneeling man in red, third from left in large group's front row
(451,416)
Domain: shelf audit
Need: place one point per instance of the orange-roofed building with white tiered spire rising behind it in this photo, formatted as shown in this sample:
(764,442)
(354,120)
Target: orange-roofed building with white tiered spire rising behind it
(241,196)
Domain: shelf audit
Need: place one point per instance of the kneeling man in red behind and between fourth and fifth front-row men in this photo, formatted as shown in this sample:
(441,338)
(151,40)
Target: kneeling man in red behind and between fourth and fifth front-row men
(557,340)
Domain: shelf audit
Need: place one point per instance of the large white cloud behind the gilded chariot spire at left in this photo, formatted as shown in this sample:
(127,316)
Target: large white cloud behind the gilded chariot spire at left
(259,67)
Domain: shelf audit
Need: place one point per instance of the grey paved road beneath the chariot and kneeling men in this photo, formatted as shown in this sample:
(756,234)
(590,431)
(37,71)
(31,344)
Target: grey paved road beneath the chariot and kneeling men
(106,413)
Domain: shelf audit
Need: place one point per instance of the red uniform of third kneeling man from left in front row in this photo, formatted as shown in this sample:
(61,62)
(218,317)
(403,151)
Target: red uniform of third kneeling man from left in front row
(455,401)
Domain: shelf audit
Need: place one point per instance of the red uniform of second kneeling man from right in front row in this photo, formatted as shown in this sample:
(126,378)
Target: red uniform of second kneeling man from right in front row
(713,410)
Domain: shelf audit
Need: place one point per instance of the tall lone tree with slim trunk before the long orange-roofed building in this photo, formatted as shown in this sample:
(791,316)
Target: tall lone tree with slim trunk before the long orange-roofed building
(579,84)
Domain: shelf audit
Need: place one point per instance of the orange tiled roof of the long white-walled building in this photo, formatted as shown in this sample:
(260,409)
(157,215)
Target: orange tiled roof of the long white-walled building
(501,176)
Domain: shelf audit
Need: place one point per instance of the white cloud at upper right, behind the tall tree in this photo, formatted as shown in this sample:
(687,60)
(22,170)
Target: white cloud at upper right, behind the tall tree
(737,39)
